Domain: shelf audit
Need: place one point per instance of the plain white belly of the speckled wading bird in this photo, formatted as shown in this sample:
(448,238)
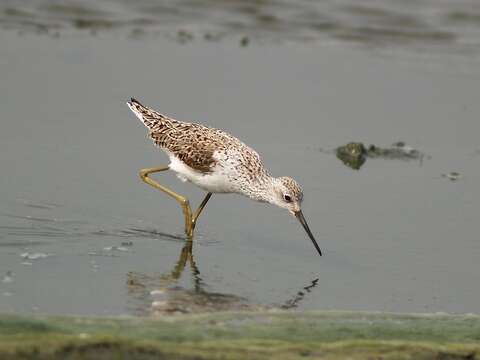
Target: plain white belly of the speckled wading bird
(215,182)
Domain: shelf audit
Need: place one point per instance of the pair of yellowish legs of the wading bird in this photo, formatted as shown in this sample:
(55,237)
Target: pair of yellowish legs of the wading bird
(190,218)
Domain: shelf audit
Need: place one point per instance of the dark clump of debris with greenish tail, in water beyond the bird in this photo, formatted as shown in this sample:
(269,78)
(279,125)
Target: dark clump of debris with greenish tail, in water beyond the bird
(355,154)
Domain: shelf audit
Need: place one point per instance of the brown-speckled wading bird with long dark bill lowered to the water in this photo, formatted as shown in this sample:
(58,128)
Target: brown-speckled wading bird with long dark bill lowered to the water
(217,162)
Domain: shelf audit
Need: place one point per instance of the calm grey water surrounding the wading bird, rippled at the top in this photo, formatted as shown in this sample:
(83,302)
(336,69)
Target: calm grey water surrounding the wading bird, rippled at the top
(76,223)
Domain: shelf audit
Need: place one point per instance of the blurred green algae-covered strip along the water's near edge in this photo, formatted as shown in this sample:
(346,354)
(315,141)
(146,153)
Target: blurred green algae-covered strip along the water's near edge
(243,335)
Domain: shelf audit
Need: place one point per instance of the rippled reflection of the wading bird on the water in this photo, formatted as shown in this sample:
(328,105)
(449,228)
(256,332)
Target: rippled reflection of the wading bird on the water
(161,294)
